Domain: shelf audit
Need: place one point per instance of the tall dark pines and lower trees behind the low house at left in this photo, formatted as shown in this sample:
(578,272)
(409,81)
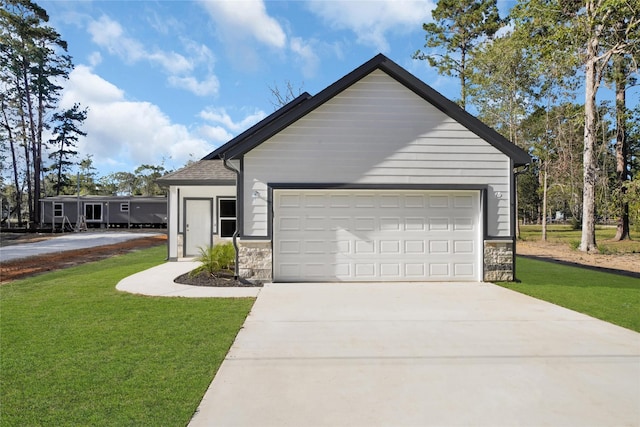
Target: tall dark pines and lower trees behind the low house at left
(38,139)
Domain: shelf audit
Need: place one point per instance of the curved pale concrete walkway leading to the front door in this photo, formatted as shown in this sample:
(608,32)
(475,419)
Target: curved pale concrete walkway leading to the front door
(158,281)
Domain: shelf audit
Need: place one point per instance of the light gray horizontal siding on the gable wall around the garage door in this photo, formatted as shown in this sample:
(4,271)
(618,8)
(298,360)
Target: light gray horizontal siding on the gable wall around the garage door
(376,132)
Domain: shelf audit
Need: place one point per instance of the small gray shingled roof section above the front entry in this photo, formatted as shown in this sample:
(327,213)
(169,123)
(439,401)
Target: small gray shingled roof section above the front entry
(203,172)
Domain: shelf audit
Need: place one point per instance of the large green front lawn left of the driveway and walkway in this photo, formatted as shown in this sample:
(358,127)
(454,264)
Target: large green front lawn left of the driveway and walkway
(75,351)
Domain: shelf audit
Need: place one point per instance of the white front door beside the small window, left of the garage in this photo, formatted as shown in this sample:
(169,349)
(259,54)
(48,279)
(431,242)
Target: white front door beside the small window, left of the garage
(197,226)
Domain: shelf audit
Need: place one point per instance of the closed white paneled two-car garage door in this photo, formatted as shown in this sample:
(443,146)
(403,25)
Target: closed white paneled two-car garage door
(367,235)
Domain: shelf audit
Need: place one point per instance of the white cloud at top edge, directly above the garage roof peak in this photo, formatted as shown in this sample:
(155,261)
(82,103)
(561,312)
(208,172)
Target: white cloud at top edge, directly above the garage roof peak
(371,20)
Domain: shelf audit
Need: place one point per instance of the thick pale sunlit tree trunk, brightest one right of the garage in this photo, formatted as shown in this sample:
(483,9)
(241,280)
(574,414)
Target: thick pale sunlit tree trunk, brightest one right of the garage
(588,240)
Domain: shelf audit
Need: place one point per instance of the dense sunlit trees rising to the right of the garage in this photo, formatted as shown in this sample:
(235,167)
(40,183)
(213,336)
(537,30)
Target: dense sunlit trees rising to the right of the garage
(537,76)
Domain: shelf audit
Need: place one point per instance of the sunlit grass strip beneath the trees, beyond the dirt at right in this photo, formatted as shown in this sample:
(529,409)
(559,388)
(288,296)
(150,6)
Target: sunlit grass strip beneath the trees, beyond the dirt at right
(567,235)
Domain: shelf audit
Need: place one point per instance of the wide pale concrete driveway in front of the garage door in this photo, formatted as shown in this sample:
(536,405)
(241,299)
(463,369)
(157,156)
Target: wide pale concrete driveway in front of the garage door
(424,354)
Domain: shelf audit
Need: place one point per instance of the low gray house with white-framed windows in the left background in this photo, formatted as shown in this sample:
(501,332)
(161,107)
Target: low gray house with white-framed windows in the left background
(103,211)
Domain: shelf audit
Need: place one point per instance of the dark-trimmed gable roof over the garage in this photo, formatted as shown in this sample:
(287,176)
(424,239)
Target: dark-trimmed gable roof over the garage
(304,104)
